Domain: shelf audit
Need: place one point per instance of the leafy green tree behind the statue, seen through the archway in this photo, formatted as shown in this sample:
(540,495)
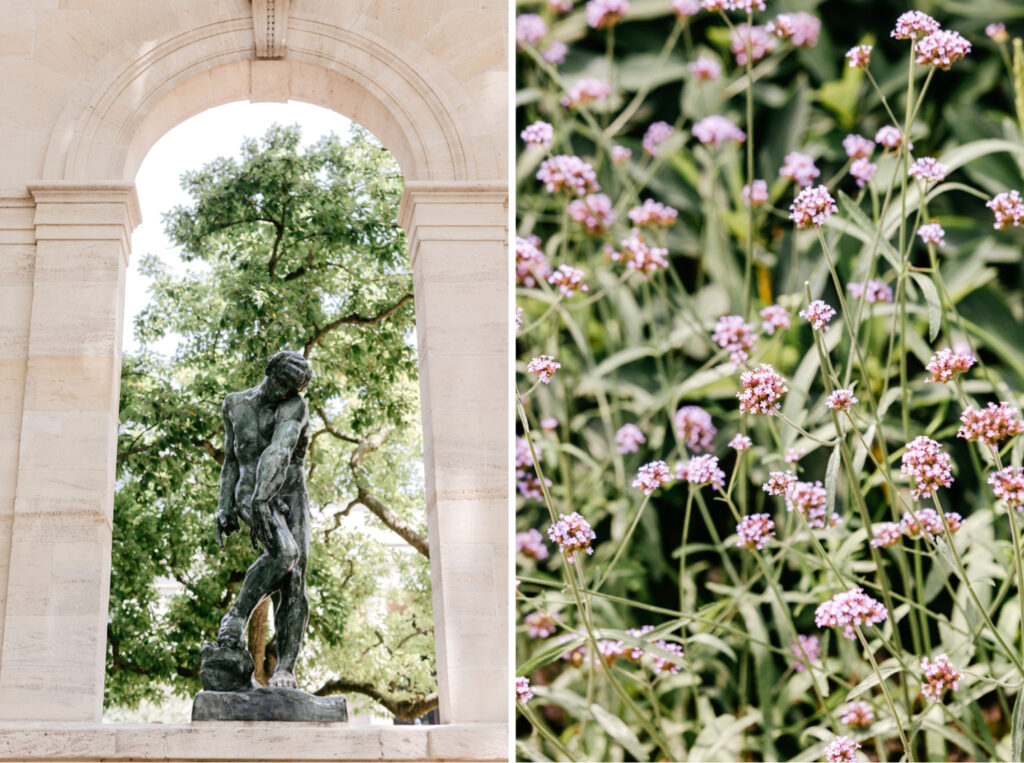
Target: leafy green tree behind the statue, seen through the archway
(288,248)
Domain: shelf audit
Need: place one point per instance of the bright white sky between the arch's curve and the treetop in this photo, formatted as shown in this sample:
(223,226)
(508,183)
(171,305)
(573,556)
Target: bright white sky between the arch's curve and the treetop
(217,133)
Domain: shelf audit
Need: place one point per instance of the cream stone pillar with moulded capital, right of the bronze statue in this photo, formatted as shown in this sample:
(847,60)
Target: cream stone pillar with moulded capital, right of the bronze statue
(458,236)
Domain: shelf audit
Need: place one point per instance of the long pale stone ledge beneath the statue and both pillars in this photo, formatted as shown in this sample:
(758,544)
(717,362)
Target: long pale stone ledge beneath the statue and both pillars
(233,741)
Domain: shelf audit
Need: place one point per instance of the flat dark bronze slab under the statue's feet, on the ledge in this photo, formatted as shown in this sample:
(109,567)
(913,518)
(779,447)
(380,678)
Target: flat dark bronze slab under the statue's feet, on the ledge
(269,704)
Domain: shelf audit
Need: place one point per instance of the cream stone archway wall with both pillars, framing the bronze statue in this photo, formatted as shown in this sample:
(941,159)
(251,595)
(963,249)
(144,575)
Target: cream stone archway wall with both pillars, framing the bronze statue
(437,98)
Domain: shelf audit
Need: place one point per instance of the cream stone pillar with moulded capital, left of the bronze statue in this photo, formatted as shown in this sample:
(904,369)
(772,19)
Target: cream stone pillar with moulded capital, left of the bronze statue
(53,661)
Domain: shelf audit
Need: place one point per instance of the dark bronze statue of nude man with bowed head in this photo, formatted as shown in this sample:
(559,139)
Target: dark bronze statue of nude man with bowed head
(267,434)
